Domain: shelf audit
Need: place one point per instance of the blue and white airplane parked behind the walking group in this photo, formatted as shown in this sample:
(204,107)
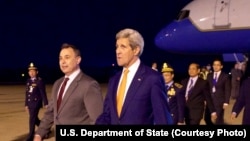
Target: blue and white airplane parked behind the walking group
(209,27)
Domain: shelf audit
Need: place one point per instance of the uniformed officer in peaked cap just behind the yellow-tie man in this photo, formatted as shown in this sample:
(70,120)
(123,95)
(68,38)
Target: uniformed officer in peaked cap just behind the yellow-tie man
(172,90)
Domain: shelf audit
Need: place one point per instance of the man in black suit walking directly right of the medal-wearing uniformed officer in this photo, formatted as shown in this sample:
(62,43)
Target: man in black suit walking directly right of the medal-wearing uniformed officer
(196,94)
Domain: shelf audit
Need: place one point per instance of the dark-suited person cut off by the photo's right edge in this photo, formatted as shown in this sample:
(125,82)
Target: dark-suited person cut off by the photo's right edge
(243,101)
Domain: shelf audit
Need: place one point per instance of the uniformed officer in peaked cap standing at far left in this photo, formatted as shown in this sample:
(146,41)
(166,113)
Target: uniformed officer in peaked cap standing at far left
(35,98)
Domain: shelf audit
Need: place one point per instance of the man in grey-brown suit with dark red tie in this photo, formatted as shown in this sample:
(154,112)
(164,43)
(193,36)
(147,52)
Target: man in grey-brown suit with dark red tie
(80,103)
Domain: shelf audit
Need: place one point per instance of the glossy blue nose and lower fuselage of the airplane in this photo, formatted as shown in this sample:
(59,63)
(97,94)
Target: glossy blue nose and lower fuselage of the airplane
(184,37)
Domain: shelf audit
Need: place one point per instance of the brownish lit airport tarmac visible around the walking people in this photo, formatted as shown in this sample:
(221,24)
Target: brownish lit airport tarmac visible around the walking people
(14,118)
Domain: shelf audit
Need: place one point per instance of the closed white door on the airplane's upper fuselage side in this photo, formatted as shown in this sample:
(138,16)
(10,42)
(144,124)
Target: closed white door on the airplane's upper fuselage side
(221,16)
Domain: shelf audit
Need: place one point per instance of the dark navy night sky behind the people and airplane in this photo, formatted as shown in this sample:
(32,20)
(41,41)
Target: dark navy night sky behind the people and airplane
(33,31)
